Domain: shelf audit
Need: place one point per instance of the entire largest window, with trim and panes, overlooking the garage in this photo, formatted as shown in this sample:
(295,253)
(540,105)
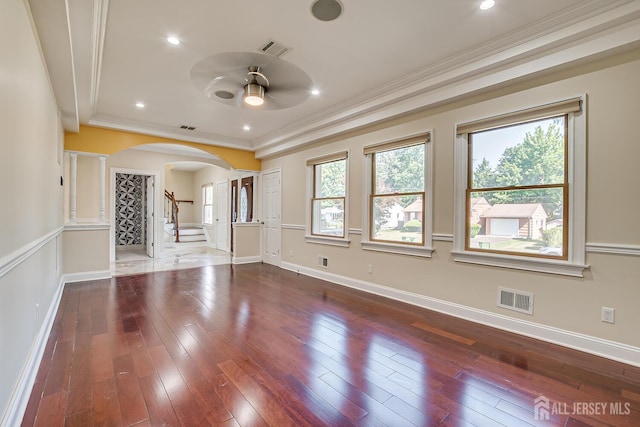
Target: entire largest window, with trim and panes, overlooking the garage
(520,192)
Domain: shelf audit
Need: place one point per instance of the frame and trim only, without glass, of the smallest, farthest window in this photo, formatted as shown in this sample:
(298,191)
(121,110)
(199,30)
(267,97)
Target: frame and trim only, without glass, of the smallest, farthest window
(327,239)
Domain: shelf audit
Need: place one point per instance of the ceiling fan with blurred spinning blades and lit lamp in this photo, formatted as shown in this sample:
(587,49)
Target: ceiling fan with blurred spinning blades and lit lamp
(251,80)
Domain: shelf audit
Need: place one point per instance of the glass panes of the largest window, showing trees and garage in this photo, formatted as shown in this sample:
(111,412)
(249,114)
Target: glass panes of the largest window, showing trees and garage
(517,189)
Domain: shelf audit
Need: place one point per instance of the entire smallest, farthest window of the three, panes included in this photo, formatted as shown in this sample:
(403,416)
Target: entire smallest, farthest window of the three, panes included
(328,199)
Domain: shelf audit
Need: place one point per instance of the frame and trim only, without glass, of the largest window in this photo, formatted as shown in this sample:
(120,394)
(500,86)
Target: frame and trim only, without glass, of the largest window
(573,261)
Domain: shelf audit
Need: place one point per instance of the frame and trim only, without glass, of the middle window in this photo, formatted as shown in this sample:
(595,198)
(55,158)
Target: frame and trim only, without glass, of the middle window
(424,249)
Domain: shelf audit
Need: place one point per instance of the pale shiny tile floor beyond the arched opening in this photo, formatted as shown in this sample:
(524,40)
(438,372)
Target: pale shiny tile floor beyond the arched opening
(183,255)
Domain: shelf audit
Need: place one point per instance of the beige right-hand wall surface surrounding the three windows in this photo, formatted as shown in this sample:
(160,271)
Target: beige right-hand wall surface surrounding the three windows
(570,304)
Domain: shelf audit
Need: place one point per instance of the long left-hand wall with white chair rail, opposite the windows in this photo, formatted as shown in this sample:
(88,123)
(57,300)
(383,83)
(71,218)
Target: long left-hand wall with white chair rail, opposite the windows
(30,171)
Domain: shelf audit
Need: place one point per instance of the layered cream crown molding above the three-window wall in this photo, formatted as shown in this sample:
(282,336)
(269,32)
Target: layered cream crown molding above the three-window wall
(567,39)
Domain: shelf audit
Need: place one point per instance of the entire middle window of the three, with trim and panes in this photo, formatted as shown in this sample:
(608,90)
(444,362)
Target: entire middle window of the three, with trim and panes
(399,196)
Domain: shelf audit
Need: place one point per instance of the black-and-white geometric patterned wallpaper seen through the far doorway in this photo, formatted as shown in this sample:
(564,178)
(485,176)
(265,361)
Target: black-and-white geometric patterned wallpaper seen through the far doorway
(130,209)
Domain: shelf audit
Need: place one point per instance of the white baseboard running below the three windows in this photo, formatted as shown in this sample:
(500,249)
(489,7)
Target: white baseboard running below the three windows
(600,347)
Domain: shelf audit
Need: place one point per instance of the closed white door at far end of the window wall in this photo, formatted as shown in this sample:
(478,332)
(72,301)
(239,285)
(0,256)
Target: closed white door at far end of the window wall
(271,206)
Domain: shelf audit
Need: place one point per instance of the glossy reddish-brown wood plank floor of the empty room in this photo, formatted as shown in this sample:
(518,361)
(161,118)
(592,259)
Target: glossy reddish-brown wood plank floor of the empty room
(255,345)
